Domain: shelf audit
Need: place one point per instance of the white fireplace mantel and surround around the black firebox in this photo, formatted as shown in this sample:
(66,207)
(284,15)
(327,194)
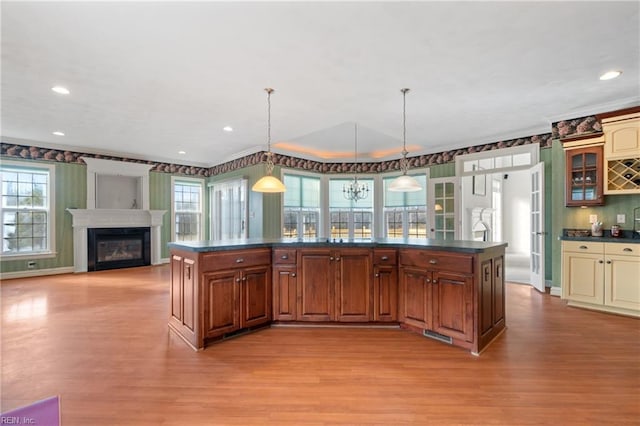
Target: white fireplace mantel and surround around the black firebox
(113,218)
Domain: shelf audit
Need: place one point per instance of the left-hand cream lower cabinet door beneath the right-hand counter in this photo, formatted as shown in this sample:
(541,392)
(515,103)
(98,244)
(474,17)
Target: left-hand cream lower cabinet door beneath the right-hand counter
(583,277)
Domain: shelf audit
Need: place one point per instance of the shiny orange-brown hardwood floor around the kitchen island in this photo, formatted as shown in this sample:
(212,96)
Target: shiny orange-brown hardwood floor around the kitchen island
(100,341)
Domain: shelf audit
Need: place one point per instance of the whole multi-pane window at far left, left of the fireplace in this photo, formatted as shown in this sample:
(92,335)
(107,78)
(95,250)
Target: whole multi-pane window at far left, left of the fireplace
(27,209)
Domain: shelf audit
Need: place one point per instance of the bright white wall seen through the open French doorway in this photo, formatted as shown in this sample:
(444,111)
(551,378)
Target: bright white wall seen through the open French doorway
(516,211)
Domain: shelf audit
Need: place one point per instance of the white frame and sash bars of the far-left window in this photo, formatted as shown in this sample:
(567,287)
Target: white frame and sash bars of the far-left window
(34,167)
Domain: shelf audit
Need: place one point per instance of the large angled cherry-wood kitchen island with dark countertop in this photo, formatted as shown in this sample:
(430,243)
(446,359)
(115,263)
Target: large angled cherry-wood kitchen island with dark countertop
(452,291)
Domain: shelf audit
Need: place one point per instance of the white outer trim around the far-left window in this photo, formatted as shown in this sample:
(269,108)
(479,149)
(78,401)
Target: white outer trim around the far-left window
(51,195)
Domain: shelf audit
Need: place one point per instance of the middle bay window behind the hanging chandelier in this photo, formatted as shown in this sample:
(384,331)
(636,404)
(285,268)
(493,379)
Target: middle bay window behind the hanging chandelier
(350,219)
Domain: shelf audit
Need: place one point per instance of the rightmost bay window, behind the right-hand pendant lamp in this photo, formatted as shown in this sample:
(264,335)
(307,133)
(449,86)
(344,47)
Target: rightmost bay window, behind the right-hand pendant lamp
(405,213)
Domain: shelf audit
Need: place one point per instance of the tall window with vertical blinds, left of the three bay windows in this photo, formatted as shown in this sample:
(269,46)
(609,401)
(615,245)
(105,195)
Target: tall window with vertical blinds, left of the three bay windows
(229,210)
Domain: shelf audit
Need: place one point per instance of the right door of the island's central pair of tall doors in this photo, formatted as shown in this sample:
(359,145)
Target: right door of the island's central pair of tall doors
(353,285)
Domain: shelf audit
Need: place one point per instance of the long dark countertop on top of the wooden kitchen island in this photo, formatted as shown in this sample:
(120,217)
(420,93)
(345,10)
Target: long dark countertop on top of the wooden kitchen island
(459,246)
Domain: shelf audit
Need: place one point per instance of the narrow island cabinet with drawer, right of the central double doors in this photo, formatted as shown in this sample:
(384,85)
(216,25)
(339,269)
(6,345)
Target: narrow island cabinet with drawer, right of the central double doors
(385,286)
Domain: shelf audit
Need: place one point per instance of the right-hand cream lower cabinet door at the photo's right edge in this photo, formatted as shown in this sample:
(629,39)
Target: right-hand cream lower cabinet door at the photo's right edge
(622,282)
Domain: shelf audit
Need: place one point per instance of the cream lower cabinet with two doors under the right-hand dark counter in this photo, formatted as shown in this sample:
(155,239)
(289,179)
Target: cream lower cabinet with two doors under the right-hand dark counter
(602,276)
